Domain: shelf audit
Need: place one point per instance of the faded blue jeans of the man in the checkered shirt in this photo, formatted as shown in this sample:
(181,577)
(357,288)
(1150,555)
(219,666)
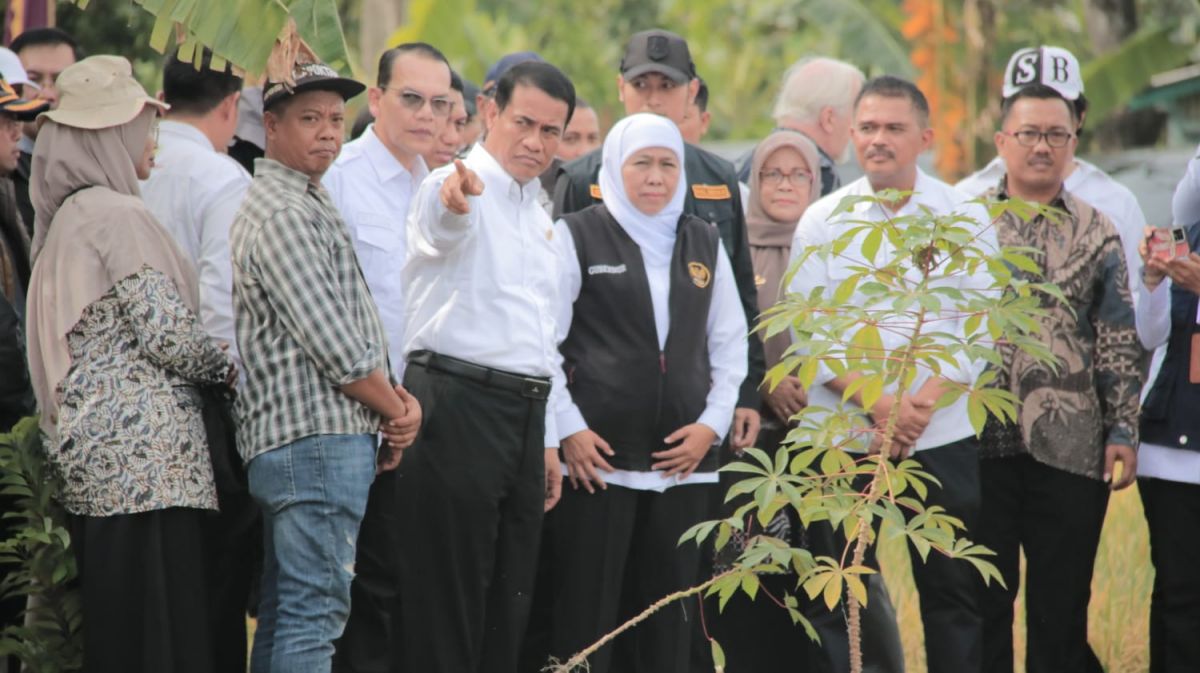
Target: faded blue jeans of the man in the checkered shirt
(314,494)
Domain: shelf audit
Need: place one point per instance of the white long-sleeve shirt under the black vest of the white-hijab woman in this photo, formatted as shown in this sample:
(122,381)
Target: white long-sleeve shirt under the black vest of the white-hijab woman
(727,332)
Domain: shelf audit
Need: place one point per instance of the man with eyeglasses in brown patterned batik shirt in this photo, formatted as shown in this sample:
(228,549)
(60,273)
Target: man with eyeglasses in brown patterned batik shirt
(1047,479)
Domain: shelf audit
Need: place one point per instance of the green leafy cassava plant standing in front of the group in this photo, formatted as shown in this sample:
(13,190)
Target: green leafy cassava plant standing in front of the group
(831,470)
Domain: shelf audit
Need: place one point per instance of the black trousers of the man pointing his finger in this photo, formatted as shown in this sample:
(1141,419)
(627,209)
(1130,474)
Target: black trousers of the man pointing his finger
(471,497)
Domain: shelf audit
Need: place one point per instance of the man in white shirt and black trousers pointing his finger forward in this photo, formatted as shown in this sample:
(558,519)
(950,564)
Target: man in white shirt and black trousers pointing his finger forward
(482,284)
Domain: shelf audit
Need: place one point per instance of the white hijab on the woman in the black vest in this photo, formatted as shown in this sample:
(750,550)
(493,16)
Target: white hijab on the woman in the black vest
(655,235)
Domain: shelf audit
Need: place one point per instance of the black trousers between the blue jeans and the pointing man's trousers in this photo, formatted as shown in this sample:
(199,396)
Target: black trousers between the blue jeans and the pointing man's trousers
(371,642)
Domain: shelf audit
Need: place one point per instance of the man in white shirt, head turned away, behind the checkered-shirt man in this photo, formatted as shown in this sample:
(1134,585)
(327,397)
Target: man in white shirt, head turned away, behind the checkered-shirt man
(195,193)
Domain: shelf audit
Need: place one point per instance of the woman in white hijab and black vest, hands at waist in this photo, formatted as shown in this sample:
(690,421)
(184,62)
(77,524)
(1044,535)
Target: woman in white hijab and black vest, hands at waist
(655,351)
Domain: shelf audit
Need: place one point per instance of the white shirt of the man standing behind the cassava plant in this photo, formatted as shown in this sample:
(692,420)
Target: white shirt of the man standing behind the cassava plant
(950,424)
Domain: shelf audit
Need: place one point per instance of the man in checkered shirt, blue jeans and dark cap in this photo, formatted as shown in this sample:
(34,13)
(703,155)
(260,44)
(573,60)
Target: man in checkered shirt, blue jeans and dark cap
(317,378)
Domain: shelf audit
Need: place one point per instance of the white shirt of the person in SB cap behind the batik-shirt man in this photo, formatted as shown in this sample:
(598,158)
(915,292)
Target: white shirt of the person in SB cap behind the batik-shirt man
(1095,188)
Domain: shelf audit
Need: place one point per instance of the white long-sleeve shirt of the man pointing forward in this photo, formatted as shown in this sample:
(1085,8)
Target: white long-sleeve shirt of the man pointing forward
(483,287)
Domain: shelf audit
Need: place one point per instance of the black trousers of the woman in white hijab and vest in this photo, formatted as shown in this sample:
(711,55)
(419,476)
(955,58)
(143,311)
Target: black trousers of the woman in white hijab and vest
(617,551)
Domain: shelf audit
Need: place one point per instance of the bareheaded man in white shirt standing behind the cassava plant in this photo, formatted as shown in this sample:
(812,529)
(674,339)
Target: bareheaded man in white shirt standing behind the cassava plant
(891,130)
